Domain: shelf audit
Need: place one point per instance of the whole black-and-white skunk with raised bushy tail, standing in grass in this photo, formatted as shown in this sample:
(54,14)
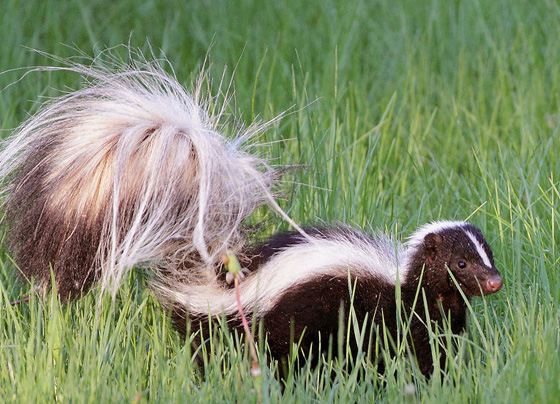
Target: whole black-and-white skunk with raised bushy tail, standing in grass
(132,171)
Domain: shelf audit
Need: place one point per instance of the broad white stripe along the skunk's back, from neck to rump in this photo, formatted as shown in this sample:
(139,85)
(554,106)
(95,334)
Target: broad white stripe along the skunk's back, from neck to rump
(336,256)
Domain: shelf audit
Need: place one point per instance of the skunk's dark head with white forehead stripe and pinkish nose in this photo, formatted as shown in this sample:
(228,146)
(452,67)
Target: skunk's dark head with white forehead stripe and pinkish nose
(459,247)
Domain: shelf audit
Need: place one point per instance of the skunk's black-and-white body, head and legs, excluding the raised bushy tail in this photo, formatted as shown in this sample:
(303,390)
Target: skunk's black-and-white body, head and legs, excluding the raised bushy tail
(296,284)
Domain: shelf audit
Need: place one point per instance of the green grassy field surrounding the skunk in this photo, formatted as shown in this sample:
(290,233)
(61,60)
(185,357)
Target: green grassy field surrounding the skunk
(401,111)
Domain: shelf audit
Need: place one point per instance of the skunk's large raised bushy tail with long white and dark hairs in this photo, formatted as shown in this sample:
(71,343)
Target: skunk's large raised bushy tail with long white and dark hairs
(130,170)
